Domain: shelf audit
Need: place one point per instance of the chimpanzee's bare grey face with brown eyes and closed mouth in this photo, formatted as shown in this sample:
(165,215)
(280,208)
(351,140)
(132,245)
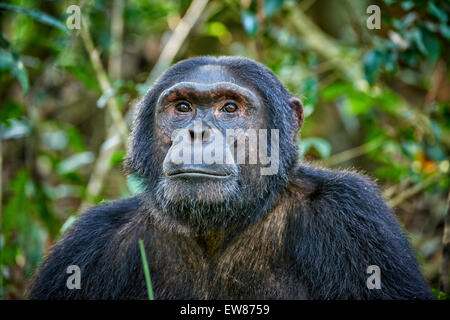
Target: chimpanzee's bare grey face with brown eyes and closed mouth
(204,125)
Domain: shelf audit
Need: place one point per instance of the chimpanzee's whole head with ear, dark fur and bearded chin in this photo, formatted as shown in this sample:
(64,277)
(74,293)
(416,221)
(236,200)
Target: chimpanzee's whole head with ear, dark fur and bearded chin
(213,138)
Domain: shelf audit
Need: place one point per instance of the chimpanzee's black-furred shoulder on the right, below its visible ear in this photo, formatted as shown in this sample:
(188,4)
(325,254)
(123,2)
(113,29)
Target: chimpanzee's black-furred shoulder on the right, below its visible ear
(341,226)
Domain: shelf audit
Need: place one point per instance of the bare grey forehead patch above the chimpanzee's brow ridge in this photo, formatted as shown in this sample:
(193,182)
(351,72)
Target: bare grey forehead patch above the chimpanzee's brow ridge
(210,74)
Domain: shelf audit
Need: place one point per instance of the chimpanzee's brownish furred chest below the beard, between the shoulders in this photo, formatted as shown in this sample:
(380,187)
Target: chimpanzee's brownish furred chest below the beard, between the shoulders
(244,269)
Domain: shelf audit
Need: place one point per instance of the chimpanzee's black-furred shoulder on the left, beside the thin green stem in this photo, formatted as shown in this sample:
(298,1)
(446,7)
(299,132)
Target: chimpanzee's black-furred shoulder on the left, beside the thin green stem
(87,244)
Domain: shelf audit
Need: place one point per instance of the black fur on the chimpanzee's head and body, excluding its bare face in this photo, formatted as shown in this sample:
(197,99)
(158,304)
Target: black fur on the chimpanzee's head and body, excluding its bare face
(306,233)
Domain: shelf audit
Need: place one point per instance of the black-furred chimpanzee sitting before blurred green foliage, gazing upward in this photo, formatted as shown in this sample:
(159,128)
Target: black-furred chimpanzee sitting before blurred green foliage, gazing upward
(234,229)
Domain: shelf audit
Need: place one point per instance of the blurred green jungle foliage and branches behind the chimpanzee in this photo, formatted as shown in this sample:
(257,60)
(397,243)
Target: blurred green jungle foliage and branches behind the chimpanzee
(376,100)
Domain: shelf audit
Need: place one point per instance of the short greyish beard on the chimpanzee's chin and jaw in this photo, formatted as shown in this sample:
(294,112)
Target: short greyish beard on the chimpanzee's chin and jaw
(210,204)
